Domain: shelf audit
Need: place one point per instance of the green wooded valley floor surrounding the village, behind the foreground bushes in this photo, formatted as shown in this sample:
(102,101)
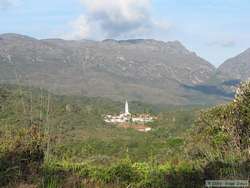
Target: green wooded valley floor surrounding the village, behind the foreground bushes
(77,122)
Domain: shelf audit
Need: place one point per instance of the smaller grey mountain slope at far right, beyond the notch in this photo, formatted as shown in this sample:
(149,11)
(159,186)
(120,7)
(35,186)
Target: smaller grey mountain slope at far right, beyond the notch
(236,68)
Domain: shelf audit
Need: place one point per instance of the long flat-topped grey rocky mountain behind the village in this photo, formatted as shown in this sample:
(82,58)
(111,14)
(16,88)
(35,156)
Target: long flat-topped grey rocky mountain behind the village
(144,70)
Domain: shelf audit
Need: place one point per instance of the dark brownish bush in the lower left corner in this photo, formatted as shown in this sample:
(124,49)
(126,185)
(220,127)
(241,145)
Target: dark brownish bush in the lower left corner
(21,155)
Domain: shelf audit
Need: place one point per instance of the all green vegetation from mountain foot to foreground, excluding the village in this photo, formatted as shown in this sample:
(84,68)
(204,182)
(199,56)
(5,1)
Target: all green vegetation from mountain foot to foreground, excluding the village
(58,141)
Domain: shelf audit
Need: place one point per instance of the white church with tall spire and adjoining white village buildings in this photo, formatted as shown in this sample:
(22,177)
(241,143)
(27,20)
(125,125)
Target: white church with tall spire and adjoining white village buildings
(127,117)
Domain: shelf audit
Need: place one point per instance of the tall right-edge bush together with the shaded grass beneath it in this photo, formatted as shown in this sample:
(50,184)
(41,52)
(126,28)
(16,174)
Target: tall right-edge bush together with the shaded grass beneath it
(222,138)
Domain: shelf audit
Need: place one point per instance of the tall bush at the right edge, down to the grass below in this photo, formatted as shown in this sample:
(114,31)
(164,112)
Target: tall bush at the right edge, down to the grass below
(225,130)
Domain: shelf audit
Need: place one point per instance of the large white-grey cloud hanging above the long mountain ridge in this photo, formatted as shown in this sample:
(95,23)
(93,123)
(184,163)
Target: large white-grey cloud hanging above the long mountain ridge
(115,19)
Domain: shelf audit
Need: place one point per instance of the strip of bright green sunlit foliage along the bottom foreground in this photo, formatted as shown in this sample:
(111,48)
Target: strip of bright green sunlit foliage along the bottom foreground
(125,173)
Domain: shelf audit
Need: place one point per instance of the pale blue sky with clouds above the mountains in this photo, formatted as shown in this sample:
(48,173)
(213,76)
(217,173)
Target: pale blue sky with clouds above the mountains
(215,29)
